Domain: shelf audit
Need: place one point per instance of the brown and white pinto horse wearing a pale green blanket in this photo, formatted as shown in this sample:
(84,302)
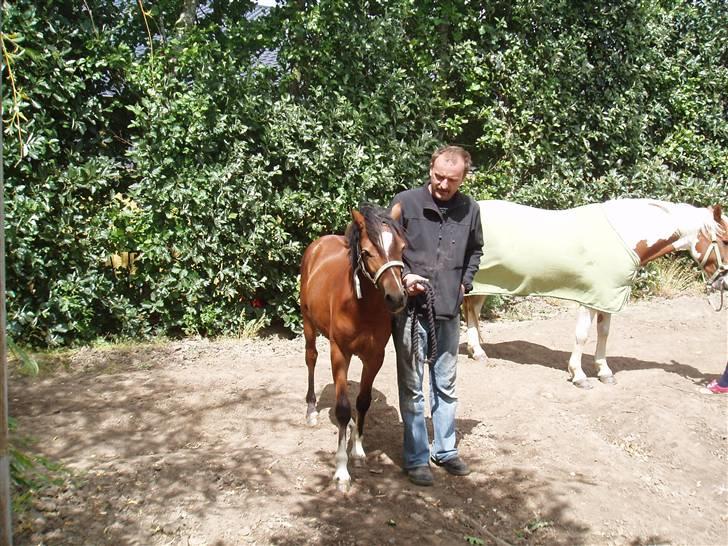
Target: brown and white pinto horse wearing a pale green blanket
(590,255)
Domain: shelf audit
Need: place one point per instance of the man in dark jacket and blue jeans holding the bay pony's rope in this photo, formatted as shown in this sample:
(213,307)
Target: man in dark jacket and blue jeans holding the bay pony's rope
(444,246)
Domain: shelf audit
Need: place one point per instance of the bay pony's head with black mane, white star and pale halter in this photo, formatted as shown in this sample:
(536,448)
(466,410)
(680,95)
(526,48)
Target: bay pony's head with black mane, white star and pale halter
(376,243)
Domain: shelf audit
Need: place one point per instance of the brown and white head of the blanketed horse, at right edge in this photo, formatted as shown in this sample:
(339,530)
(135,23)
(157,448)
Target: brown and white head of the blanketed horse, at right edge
(712,249)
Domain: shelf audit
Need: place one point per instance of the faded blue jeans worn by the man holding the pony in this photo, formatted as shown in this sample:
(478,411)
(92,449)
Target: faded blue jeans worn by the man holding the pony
(443,400)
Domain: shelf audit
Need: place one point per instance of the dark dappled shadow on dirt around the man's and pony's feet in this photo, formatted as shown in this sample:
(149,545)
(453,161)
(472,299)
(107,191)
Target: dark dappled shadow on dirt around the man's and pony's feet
(383,507)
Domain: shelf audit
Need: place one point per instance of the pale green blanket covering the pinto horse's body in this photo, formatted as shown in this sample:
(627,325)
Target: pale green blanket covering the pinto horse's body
(572,254)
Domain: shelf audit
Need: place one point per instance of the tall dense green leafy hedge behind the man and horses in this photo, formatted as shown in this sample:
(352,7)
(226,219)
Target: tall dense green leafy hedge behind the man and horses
(161,179)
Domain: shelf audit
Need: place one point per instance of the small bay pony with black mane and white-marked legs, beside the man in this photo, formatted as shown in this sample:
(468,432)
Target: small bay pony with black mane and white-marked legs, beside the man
(349,287)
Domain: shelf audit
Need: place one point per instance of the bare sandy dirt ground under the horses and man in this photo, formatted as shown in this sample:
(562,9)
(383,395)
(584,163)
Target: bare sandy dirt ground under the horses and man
(205,443)
